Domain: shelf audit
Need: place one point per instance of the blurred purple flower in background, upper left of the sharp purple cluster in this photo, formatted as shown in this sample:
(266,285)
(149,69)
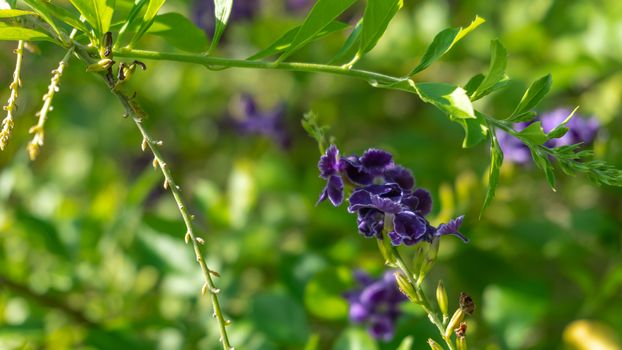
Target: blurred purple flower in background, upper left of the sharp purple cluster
(250,121)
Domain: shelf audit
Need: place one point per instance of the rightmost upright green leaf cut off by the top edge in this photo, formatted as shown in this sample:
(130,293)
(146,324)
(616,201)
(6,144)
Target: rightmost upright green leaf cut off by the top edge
(378,14)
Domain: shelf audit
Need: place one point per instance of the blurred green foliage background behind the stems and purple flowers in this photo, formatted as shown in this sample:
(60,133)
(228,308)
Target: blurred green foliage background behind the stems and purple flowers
(91,246)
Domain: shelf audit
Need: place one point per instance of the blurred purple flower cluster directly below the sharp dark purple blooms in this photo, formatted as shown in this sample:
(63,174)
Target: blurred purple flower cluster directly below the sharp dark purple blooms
(376,304)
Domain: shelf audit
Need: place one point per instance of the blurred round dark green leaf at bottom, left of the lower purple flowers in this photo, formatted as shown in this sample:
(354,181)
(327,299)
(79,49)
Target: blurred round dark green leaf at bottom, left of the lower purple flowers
(280,318)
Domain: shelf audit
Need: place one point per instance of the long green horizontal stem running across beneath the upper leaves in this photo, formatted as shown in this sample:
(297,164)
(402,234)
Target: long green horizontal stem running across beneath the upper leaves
(211,62)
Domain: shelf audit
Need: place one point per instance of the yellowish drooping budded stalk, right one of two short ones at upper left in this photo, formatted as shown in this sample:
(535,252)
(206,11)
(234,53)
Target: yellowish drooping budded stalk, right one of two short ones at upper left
(38,130)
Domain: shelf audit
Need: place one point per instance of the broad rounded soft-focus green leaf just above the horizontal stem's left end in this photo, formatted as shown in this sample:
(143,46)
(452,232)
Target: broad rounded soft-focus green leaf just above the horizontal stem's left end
(180,32)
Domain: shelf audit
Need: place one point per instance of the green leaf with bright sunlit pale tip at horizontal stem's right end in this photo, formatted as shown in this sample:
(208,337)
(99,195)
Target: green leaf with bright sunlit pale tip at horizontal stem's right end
(449,98)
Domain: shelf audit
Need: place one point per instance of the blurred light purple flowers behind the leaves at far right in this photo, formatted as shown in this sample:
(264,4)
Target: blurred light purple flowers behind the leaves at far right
(580,130)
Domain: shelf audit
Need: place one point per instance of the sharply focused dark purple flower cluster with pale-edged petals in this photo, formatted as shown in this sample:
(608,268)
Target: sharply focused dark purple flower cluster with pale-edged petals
(382,190)
